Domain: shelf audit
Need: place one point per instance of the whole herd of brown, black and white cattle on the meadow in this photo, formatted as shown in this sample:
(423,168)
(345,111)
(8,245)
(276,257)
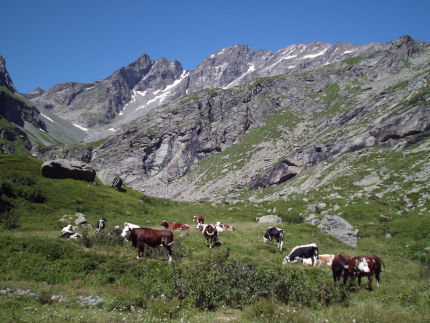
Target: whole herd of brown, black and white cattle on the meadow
(343,266)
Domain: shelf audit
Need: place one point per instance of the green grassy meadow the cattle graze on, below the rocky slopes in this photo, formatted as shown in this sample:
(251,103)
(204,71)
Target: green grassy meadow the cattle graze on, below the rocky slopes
(243,280)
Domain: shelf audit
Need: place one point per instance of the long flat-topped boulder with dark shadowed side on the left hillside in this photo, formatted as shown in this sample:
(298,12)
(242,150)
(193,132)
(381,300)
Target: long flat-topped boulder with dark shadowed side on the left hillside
(62,168)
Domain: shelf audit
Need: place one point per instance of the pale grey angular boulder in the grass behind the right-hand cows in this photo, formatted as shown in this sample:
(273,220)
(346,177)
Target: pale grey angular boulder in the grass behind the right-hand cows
(340,229)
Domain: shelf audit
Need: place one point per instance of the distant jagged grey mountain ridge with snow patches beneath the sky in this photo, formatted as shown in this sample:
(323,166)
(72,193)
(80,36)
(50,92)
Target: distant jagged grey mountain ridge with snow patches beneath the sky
(101,108)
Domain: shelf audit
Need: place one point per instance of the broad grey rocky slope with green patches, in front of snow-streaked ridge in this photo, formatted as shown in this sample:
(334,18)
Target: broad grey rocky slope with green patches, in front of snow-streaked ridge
(227,144)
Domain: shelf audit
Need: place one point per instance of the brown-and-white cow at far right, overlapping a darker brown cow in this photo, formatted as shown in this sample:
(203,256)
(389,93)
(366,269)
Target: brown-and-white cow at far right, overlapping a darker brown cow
(364,266)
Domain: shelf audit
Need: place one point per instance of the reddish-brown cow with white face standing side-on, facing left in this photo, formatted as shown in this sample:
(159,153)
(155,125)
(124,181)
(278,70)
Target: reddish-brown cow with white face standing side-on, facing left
(153,238)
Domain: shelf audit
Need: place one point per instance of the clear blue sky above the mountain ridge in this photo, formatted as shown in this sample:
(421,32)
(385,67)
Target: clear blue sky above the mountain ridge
(49,42)
